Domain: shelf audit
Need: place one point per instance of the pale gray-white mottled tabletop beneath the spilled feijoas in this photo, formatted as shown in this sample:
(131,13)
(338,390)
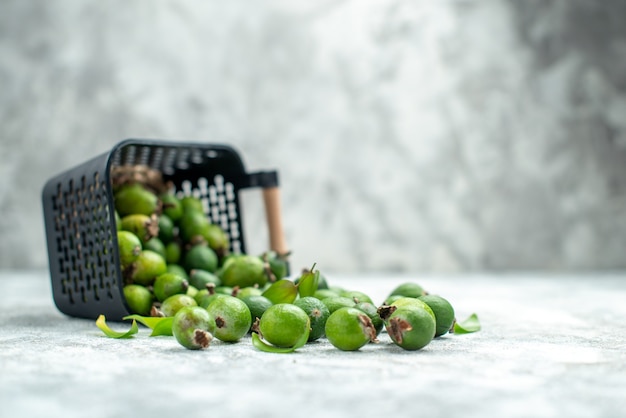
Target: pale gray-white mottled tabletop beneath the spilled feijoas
(551,346)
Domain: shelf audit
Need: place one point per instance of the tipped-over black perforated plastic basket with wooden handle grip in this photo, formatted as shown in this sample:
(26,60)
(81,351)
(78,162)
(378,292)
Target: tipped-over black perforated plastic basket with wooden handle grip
(79,214)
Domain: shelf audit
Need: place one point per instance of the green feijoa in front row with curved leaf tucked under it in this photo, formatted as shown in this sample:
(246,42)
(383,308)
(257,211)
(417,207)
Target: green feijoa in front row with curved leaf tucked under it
(284,324)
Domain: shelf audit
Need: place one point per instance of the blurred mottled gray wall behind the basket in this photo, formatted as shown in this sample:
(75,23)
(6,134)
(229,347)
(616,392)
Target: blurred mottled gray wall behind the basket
(410,135)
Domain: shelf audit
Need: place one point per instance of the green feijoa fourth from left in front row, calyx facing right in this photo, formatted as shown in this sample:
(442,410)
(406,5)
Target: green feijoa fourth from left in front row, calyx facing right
(349,329)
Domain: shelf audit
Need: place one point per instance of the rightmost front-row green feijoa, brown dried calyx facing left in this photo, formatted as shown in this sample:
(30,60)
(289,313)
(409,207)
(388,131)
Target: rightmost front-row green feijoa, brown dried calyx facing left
(410,327)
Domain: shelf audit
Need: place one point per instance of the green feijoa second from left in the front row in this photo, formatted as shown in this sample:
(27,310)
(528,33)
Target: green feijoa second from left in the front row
(232,318)
